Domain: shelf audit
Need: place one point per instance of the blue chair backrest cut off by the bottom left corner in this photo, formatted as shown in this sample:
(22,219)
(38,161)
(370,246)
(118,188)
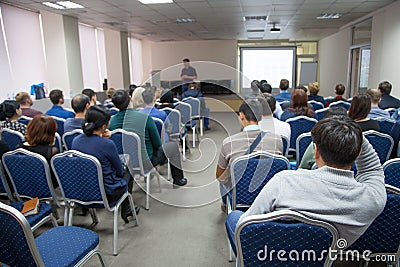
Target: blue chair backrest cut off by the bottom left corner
(17,247)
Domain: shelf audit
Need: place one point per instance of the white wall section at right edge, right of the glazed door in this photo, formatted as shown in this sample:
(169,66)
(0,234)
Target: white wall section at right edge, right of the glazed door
(385,52)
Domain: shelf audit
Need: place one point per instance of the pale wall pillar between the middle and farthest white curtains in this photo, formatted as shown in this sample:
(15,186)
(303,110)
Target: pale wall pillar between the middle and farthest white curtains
(113,59)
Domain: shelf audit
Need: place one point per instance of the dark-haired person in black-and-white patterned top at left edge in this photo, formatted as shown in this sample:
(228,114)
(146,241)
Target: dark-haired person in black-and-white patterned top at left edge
(10,111)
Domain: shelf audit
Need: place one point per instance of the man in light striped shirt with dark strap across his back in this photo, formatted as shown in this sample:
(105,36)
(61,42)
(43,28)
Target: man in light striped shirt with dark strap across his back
(250,113)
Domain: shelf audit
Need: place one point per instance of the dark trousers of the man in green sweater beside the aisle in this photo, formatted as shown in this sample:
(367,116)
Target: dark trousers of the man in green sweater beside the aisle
(169,150)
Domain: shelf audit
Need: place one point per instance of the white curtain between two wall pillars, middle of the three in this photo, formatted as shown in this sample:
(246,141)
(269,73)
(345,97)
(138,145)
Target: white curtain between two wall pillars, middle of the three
(93,56)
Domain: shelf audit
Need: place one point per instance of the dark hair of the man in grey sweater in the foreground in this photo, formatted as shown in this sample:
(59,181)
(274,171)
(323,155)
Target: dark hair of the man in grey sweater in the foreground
(338,140)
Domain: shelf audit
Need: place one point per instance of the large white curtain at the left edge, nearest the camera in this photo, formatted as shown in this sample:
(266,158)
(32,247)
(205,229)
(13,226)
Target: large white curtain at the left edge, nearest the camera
(22,59)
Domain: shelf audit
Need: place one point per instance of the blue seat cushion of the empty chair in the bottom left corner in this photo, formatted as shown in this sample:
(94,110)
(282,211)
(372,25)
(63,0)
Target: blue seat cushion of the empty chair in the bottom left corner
(65,245)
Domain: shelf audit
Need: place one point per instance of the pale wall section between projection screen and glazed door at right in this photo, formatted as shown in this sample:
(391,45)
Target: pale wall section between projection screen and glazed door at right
(333,60)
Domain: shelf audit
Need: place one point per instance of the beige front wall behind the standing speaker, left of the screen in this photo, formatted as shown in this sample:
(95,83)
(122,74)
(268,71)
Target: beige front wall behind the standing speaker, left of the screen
(218,58)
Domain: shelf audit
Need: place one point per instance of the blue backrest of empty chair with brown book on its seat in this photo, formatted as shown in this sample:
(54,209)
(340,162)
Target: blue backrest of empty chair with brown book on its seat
(29,174)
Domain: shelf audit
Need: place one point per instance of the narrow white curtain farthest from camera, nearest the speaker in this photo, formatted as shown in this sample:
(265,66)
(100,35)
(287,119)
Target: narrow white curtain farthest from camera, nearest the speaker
(136,61)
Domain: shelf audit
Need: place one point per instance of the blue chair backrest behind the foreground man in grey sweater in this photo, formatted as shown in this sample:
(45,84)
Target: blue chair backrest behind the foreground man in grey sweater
(288,231)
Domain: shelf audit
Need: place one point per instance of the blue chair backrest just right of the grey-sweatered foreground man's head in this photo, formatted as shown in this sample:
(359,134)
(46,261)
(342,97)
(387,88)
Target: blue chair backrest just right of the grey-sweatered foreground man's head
(382,143)
